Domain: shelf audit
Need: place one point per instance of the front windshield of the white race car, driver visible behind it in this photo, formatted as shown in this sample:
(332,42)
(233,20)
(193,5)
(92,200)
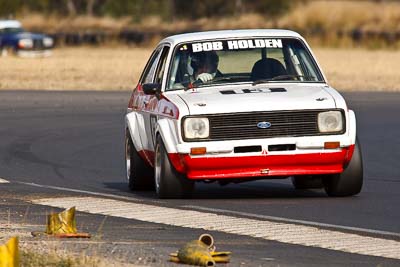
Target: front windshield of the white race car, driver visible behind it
(253,61)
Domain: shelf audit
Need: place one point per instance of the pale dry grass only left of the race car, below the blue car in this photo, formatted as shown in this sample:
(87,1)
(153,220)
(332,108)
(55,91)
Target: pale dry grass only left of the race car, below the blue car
(75,69)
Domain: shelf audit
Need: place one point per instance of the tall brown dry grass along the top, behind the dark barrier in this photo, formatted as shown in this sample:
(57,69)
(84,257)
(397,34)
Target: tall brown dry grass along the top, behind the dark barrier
(329,15)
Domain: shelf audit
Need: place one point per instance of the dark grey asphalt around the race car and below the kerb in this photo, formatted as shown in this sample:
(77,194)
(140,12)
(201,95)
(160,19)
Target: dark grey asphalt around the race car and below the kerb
(75,140)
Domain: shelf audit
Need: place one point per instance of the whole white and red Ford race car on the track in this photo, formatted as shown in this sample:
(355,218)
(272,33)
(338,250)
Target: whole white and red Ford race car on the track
(234,106)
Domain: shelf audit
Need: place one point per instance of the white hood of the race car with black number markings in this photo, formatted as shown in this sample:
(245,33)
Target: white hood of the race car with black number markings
(209,100)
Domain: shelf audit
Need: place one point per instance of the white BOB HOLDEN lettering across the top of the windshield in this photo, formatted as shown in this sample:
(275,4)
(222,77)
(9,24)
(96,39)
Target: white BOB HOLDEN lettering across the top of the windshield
(236,45)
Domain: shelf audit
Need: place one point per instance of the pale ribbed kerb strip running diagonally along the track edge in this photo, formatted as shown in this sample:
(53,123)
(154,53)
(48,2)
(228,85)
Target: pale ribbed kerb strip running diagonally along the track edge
(270,230)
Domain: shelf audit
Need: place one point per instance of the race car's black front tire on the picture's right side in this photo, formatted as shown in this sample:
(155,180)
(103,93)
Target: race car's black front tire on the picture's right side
(350,181)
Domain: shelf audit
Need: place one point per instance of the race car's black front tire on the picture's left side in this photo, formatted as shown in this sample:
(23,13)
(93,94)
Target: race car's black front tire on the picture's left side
(168,182)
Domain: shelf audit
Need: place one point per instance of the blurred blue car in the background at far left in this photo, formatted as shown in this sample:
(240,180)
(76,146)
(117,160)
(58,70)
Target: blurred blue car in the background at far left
(14,39)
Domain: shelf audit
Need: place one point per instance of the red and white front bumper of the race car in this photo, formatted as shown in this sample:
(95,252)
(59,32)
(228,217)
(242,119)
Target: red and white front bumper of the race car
(310,159)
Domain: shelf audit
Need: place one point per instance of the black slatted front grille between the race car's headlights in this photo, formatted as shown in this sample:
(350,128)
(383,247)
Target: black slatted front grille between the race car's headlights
(283,124)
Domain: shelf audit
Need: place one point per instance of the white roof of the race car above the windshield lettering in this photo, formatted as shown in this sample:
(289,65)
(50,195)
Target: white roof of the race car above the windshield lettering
(209,35)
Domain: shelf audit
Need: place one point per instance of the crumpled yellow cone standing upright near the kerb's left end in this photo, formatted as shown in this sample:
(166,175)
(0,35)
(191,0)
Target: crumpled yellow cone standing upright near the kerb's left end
(61,223)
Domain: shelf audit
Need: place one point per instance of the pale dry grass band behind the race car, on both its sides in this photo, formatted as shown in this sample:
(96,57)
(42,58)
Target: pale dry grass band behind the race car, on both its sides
(119,69)
